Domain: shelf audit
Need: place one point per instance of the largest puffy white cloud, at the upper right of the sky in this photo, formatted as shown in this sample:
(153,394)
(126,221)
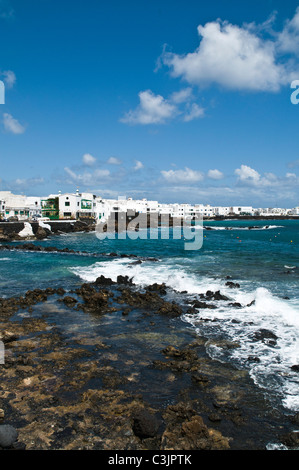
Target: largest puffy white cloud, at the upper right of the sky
(235,57)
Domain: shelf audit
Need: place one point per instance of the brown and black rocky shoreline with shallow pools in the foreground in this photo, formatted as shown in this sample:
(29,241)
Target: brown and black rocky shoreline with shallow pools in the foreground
(139,380)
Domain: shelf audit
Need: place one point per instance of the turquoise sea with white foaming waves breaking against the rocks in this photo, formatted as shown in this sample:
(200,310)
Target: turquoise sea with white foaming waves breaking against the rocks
(264,260)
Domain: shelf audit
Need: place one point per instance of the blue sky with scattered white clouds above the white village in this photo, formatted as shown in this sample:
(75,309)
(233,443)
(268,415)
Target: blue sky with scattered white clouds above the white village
(169,100)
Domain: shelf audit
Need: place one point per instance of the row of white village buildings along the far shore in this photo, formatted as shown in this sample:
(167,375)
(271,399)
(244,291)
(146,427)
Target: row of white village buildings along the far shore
(88,206)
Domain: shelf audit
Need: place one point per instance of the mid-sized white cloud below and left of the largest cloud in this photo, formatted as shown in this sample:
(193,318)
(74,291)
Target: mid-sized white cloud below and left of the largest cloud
(152,109)
